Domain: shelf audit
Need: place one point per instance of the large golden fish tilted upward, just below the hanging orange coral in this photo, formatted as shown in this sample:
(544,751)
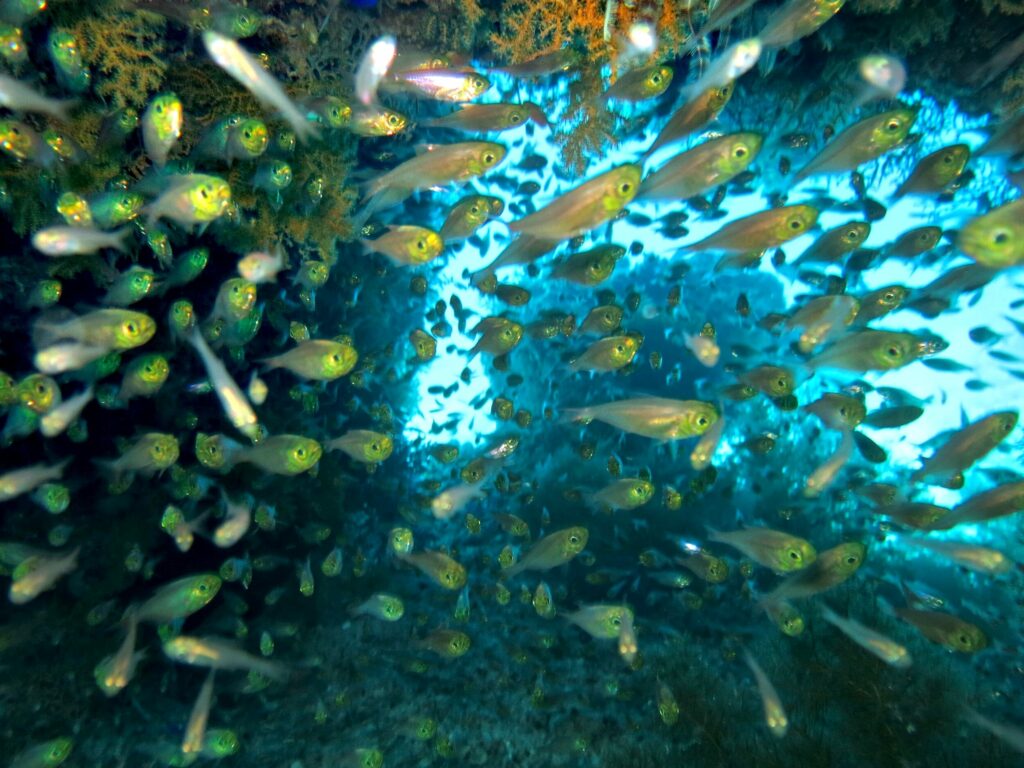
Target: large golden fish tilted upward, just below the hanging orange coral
(583,208)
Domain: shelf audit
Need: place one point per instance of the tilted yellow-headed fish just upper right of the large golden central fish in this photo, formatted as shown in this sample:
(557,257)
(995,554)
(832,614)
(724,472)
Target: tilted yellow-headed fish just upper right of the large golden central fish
(708,165)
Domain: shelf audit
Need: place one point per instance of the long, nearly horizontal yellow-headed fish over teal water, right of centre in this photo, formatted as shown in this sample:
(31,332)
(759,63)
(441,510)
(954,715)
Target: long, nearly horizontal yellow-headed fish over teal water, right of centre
(659,418)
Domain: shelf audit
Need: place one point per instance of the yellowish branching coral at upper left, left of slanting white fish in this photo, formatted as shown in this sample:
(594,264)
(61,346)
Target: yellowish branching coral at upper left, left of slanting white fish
(125,50)
